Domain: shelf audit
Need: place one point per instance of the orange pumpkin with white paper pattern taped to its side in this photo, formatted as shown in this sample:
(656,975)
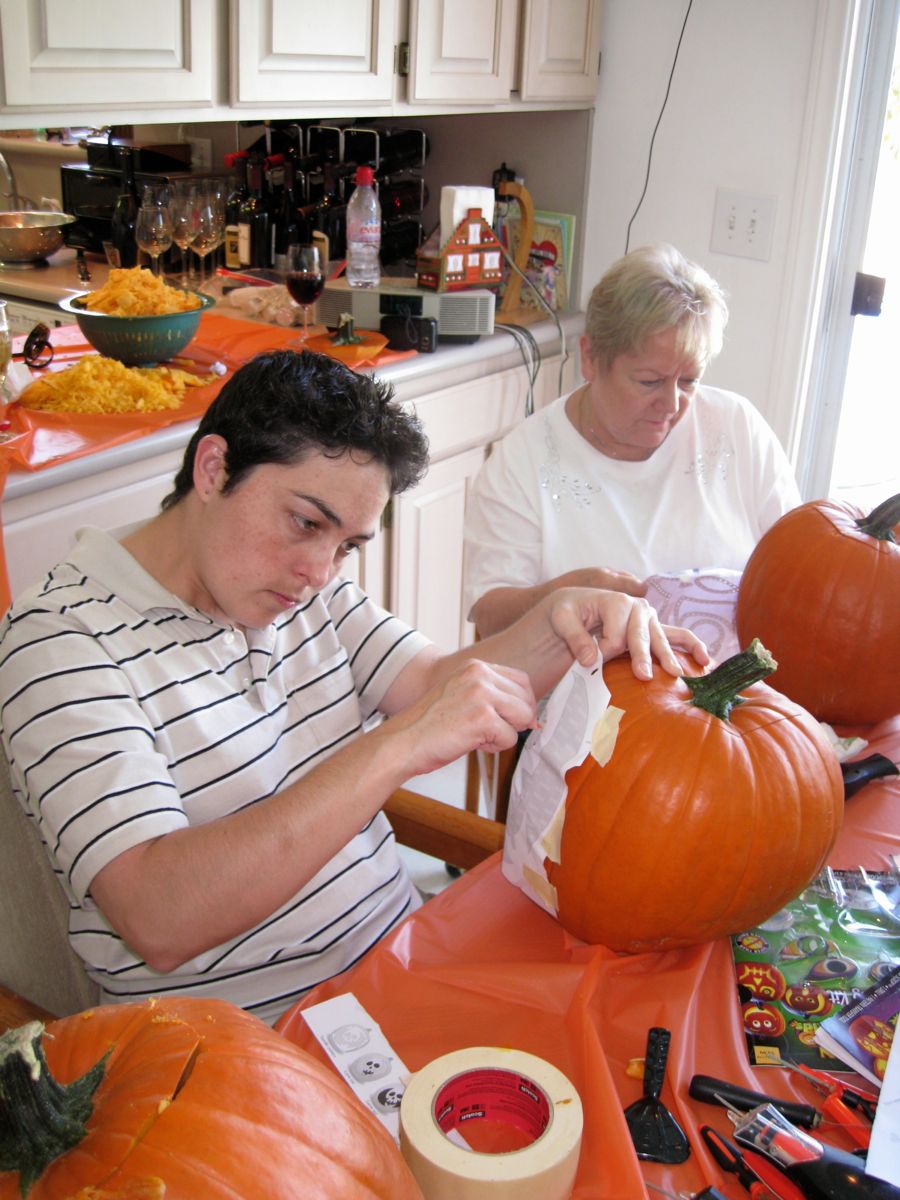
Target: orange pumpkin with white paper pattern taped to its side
(712,813)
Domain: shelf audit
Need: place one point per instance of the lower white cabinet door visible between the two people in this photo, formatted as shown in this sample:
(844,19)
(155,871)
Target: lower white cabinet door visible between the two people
(428,551)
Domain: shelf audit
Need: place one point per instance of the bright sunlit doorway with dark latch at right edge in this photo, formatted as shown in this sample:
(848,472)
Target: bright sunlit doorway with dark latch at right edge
(853,437)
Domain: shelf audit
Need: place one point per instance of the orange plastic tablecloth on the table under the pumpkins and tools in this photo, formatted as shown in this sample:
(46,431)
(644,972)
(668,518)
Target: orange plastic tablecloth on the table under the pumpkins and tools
(482,965)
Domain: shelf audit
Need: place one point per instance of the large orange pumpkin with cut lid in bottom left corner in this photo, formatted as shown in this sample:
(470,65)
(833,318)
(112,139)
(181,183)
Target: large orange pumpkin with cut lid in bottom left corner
(196,1100)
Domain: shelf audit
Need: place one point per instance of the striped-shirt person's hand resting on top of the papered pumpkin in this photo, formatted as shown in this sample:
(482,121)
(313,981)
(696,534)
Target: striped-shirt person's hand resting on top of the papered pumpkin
(596,623)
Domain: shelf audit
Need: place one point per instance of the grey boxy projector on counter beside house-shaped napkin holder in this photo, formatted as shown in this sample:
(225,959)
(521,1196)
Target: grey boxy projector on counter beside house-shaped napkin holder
(461,316)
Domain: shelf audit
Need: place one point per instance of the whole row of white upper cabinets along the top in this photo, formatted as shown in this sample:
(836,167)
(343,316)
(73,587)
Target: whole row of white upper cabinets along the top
(188,61)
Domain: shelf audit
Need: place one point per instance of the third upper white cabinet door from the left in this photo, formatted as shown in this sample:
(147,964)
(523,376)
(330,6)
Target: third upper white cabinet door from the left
(463,51)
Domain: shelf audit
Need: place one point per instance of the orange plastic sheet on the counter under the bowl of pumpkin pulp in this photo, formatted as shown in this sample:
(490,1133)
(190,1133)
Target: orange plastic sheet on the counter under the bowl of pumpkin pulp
(35,441)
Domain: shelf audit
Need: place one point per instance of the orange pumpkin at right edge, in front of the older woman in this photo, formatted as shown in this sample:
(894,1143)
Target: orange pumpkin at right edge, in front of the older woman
(823,592)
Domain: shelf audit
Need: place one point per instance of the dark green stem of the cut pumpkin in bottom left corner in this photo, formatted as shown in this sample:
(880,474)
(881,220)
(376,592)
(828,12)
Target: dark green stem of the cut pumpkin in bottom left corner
(40,1119)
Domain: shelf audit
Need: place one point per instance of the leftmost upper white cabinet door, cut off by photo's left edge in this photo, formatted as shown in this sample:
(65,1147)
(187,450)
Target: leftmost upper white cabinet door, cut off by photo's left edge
(109,53)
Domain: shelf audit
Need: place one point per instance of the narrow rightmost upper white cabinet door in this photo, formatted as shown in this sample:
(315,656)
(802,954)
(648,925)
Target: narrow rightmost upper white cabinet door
(561,50)
